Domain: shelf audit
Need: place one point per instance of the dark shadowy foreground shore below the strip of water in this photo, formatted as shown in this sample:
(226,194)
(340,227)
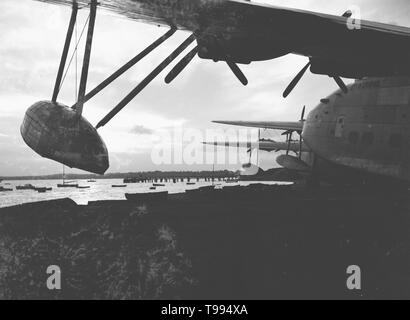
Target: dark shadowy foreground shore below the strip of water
(265,243)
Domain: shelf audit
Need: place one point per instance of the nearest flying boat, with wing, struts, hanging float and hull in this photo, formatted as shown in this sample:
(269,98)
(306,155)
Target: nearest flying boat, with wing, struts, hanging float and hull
(363,126)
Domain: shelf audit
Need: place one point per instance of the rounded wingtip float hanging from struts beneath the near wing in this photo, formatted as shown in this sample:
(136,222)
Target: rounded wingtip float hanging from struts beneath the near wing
(57,132)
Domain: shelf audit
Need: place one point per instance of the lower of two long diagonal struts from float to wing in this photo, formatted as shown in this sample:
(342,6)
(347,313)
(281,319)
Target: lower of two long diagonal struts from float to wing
(146,81)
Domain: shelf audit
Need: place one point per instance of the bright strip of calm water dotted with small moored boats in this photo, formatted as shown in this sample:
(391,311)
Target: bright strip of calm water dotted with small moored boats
(99,190)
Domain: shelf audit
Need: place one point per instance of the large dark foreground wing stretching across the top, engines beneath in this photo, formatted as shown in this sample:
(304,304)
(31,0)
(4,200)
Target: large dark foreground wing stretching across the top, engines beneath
(244,31)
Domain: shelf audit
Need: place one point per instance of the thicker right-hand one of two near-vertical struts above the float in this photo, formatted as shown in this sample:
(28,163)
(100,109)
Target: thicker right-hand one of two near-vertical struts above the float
(87,55)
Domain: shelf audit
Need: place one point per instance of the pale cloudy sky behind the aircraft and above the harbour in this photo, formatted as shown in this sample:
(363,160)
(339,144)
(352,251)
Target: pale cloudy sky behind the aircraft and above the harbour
(31,40)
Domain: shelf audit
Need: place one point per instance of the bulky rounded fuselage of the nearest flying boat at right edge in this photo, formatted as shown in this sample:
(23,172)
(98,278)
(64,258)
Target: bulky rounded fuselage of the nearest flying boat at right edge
(367,129)
